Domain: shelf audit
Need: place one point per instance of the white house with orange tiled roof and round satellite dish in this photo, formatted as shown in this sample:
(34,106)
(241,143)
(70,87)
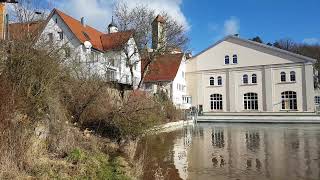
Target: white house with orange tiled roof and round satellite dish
(101,52)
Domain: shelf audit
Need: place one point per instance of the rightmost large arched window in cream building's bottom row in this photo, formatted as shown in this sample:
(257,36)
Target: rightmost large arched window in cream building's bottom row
(289,100)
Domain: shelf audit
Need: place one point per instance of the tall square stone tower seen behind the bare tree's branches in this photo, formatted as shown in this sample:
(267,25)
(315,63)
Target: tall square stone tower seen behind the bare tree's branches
(158,33)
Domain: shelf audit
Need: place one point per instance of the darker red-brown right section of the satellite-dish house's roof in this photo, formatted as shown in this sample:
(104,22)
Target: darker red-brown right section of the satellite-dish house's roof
(115,41)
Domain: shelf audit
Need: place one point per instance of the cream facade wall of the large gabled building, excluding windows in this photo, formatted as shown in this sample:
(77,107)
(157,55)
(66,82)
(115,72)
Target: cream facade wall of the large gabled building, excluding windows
(250,61)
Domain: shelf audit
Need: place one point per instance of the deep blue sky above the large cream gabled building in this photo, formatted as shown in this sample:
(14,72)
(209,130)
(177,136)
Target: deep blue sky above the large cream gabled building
(269,19)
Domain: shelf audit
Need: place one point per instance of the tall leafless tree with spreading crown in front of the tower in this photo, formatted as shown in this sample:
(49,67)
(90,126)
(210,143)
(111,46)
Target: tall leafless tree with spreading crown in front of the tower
(139,19)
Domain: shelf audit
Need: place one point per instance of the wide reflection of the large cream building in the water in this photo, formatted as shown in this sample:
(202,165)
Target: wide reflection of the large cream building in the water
(240,152)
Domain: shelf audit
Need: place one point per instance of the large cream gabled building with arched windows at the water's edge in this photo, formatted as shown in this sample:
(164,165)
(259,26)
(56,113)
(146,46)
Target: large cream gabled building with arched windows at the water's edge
(237,75)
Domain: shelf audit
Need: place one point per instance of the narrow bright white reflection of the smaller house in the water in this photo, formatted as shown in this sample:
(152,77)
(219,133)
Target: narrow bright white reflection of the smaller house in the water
(180,150)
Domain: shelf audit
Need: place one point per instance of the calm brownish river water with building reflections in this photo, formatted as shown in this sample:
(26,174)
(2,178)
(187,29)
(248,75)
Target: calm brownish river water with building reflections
(233,151)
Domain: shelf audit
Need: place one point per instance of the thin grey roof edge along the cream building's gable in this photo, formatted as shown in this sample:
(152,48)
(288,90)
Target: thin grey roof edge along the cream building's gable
(272,49)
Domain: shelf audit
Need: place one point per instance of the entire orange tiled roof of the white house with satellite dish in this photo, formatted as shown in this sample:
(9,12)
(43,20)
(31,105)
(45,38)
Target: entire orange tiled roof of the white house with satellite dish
(99,40)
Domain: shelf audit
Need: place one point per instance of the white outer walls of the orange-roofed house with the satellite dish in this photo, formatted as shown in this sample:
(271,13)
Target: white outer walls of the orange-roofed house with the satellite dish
(79,52)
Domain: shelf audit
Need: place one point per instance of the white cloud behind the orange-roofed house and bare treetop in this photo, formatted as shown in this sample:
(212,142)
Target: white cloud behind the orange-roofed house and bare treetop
(98,13)
